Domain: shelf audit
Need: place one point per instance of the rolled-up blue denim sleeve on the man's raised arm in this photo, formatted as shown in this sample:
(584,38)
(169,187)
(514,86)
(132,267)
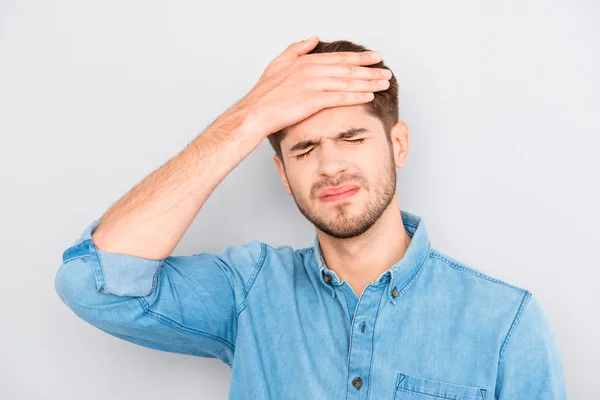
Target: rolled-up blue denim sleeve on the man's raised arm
(180,304)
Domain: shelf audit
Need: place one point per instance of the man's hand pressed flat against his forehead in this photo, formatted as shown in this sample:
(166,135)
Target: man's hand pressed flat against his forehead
(296,85)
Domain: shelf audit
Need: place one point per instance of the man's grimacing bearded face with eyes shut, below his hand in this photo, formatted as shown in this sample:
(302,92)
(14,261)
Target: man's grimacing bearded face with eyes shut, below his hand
(364,159)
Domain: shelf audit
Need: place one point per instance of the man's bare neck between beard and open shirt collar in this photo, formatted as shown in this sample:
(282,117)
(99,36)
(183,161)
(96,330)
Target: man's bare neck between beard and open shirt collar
(360,260)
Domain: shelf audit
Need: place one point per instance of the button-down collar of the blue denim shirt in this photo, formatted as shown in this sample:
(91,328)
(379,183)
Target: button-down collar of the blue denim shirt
(400,275)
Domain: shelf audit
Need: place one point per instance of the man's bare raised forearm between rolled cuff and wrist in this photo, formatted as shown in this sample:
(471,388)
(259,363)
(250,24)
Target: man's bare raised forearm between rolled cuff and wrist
(150,219)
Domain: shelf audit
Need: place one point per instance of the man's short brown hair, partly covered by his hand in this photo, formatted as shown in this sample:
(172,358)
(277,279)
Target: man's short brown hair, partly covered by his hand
(384,106)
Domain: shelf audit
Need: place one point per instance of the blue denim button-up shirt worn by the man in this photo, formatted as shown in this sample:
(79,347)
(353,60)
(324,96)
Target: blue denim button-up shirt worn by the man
(430,327)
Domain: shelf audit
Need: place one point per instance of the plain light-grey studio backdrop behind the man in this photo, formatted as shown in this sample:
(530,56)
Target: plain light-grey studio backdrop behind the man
(501,98)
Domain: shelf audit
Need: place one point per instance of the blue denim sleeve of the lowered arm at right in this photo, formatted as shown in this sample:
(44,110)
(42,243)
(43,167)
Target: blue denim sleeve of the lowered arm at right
(530,365)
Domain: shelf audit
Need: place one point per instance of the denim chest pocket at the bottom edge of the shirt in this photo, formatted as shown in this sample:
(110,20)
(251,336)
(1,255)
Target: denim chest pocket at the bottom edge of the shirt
(410,387)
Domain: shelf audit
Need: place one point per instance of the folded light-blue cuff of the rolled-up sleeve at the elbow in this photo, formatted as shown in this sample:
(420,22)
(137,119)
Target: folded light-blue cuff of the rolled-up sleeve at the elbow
(119,274)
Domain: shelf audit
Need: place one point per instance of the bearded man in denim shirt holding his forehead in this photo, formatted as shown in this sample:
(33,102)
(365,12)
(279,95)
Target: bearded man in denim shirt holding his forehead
(371,311)
